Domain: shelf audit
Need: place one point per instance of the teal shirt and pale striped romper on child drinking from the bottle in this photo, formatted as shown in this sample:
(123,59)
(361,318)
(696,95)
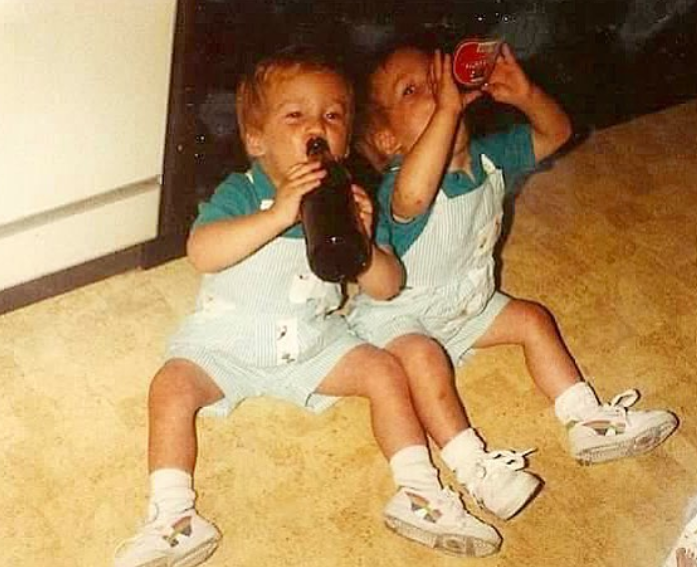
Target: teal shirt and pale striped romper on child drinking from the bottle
(266,325)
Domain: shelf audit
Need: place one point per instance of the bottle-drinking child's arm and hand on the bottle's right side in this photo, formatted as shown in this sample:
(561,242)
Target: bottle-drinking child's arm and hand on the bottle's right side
(384,277)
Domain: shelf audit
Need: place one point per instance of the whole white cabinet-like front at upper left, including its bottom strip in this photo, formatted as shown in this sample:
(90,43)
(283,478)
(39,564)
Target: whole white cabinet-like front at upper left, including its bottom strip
(83,92)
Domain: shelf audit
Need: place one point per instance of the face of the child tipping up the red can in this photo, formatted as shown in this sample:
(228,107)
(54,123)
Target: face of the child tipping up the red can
(402,87)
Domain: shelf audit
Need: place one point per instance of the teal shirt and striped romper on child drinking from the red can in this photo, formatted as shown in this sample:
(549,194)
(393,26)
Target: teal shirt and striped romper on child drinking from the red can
(448,252)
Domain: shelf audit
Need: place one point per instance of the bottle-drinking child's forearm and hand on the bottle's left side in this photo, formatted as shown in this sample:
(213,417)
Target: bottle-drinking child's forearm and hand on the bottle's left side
(221,244)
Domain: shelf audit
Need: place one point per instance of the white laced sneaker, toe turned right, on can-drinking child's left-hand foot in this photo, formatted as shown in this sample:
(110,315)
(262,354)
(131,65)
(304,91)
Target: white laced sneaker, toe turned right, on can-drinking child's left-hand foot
(501,486)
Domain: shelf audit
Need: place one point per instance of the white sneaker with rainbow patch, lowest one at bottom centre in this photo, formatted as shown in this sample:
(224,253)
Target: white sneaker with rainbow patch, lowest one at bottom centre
(440,521)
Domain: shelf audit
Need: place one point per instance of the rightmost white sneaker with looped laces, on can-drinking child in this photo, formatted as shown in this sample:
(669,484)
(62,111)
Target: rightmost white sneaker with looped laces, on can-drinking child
(614,431)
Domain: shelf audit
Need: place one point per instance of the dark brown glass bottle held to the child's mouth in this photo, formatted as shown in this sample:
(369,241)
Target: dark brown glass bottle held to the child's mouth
(338,249)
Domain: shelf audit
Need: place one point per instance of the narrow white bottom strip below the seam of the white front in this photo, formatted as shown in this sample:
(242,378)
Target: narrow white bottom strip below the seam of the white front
(54,241)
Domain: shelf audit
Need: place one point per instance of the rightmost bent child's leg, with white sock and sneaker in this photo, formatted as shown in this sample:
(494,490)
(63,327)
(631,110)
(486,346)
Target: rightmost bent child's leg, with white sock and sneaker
(597,432)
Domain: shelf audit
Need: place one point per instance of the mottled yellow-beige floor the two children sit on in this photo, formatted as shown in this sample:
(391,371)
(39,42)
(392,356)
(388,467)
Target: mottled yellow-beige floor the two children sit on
(607,239)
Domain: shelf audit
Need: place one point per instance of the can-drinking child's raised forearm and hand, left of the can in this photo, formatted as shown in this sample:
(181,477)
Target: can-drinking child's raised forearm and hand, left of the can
(420,176)
